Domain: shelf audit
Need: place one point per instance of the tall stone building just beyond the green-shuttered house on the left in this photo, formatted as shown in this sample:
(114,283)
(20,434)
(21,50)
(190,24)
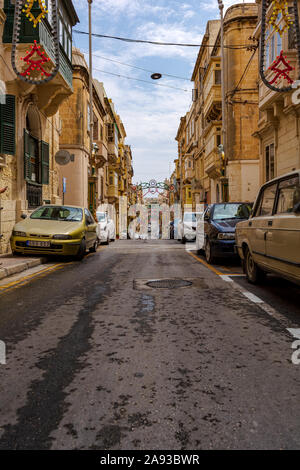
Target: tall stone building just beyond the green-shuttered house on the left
(85,177)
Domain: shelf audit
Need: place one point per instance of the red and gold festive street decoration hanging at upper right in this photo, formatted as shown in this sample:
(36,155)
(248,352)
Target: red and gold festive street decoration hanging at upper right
(279,6)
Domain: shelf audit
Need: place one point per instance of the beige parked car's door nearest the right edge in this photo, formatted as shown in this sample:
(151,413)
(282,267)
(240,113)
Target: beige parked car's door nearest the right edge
(283,234)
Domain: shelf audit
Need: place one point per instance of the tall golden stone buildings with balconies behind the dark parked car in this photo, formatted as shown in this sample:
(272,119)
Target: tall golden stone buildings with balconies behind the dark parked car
(211,178)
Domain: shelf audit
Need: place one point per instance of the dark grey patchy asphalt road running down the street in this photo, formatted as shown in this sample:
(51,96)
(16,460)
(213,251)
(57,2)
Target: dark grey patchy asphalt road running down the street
(96,359)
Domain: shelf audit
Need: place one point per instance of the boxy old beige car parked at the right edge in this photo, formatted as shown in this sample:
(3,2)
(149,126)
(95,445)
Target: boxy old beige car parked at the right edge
(270,240)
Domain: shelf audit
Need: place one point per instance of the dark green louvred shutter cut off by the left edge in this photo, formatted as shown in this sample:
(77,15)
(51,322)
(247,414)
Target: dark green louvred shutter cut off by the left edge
(8,126)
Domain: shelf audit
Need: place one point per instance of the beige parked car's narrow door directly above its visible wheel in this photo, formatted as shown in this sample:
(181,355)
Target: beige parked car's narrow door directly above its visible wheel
(259,223)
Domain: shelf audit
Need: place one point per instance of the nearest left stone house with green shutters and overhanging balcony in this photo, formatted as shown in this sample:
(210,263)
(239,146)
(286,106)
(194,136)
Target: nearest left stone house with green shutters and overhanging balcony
(29,119)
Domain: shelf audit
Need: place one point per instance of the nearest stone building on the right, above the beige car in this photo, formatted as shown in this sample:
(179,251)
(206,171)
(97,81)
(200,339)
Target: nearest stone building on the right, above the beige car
(278,126)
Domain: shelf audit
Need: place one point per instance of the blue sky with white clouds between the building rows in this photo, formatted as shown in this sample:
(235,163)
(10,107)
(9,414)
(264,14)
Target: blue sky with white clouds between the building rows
(150,112)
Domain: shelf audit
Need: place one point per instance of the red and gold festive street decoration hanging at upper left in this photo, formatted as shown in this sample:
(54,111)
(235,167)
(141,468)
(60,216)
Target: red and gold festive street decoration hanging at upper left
(35,65)
